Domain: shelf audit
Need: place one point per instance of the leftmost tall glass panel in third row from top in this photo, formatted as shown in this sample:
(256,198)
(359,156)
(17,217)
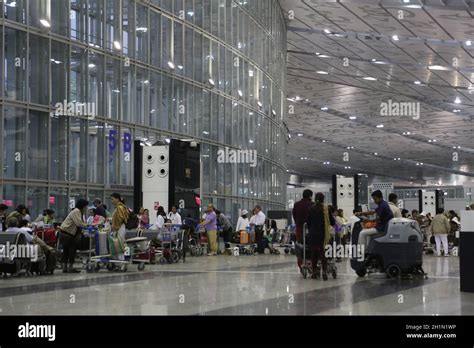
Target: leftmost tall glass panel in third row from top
(14,151)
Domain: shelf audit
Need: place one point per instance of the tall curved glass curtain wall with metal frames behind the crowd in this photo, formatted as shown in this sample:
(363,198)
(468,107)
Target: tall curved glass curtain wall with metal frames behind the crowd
(82,78)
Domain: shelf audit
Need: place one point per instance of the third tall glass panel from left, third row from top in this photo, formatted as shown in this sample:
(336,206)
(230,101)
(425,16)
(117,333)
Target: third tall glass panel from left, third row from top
(59,148)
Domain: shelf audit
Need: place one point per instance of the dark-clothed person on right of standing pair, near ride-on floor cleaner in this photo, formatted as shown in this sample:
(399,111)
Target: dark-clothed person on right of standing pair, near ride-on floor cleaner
(319,221)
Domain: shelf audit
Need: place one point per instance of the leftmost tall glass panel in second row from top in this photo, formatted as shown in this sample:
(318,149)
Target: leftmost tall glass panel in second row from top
(15,64)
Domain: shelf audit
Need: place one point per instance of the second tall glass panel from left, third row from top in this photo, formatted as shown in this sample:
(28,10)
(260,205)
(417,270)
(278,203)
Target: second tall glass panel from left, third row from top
(38,145)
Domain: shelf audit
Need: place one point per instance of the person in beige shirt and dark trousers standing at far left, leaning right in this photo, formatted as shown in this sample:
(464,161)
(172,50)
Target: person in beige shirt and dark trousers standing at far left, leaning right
(70,235)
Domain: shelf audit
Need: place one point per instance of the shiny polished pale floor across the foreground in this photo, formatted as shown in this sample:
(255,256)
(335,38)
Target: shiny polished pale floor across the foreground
(244,285)
